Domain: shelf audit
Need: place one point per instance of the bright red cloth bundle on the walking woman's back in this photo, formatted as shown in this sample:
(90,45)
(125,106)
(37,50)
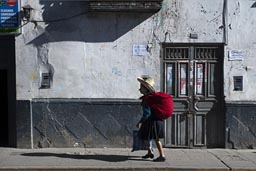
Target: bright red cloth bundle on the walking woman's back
(161,104)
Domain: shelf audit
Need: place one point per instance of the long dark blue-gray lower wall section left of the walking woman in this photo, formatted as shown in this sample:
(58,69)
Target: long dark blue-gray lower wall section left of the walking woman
(93,123)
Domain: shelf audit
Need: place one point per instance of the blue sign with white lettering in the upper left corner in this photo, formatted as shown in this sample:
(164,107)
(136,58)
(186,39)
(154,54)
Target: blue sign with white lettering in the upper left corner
(9,17)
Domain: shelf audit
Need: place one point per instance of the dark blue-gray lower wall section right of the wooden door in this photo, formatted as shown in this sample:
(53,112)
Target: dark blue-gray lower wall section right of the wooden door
(240,125)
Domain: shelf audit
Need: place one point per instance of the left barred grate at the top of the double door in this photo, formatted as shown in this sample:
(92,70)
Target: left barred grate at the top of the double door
(176,53)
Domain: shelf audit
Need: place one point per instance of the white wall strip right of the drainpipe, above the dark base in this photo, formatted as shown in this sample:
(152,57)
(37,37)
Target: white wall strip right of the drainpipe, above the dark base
(241,36)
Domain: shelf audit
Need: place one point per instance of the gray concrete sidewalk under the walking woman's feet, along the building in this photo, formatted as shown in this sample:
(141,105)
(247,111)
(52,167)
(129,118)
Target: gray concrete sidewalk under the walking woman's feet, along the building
(106,159)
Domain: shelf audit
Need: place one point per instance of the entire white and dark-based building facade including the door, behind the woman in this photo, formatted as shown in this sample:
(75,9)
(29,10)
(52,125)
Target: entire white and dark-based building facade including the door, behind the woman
(77,62)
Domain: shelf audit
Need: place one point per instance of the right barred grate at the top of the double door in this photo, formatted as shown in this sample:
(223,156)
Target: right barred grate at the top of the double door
(205,53)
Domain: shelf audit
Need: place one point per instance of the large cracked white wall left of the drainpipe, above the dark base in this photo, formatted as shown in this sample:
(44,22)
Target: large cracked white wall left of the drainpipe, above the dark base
(90,54)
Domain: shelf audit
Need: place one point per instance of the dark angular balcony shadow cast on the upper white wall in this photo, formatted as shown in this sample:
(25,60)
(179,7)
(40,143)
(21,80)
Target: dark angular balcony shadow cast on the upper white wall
(72,21)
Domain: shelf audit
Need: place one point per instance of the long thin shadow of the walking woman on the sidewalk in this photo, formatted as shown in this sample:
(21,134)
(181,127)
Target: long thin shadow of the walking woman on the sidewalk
(102,157)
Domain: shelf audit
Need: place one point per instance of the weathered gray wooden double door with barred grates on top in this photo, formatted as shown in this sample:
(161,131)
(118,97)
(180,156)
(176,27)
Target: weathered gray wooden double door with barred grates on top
(193,76)
